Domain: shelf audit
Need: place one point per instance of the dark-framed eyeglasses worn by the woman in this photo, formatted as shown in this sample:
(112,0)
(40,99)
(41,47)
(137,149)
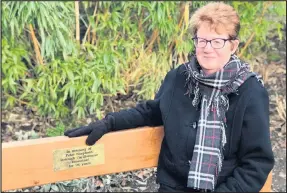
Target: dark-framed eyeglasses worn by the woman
(216,43)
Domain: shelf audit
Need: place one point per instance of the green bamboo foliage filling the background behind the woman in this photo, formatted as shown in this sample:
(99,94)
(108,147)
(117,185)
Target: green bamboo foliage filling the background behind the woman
(66,59)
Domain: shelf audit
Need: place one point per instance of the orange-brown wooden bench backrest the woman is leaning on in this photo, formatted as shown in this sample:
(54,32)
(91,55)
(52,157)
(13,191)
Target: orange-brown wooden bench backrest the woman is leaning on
(35,162)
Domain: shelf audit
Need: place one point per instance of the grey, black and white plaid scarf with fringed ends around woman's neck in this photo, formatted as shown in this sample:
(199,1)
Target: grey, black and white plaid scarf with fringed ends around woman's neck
(211,91)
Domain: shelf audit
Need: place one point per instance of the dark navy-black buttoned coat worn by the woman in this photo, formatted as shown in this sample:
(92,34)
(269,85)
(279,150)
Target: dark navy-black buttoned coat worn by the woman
(248,156)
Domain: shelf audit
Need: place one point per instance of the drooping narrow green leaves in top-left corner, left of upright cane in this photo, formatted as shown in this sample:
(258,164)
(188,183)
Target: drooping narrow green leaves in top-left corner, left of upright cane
(54,22)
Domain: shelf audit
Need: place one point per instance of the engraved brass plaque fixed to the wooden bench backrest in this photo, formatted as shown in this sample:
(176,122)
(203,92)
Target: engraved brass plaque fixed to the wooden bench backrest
(78,157)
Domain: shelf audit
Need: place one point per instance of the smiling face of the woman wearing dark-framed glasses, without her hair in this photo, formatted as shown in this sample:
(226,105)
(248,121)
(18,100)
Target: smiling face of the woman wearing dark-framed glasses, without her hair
(211,59)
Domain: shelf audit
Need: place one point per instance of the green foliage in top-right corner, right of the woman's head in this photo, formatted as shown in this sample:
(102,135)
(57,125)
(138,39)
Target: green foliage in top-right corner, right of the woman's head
(258,17)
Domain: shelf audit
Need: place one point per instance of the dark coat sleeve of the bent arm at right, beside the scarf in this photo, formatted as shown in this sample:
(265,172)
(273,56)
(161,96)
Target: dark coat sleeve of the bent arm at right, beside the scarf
(255,151)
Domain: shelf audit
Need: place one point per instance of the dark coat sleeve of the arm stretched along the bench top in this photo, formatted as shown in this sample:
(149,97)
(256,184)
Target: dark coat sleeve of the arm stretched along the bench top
(146,113)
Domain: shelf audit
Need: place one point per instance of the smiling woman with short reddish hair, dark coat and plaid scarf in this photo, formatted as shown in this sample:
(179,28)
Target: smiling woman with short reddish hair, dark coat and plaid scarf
(215,113)
